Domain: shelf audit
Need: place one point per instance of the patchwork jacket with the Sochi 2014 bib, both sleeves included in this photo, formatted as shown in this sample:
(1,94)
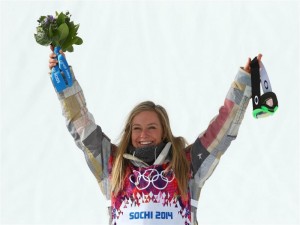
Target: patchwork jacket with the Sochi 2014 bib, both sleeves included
(150,195)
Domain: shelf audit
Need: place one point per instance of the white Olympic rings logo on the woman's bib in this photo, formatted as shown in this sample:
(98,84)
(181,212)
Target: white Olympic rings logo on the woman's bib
(151,176)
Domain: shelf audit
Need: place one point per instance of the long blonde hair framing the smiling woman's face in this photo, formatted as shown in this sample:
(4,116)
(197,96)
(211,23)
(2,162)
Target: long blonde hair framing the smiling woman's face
(178,163)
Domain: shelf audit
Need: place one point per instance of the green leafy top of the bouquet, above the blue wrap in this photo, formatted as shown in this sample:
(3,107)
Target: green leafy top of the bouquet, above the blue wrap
(58,31)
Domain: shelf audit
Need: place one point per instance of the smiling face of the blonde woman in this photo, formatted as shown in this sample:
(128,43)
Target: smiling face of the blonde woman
(146,129)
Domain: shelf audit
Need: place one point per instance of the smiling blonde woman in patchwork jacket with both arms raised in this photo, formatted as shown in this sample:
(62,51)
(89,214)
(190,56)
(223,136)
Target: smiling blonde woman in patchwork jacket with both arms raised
(151,176)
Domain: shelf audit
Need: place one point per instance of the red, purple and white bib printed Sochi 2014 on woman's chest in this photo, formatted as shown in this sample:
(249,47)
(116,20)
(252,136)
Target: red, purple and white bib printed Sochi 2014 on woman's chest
(150,196)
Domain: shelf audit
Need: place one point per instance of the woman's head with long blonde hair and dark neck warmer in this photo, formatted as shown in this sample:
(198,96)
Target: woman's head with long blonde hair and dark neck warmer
(149,128)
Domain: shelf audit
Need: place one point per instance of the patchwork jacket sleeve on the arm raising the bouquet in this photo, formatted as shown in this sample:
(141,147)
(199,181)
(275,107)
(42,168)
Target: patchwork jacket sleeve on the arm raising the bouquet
(87,135)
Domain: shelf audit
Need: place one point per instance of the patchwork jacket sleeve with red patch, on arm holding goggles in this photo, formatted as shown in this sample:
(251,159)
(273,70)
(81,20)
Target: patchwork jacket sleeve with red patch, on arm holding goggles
(222,130)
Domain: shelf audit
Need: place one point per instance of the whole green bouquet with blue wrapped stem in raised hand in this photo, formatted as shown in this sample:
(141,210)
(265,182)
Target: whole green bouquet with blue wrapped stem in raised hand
(61,33)
